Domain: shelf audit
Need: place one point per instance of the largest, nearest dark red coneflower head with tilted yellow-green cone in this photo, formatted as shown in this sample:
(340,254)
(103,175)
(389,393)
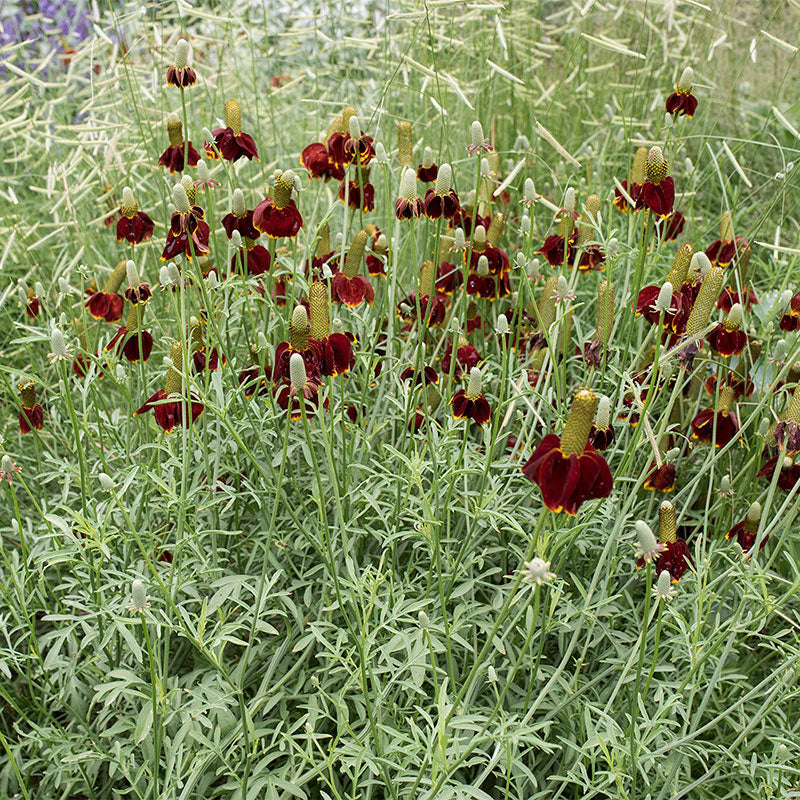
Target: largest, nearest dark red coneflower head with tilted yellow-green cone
(567,469)
